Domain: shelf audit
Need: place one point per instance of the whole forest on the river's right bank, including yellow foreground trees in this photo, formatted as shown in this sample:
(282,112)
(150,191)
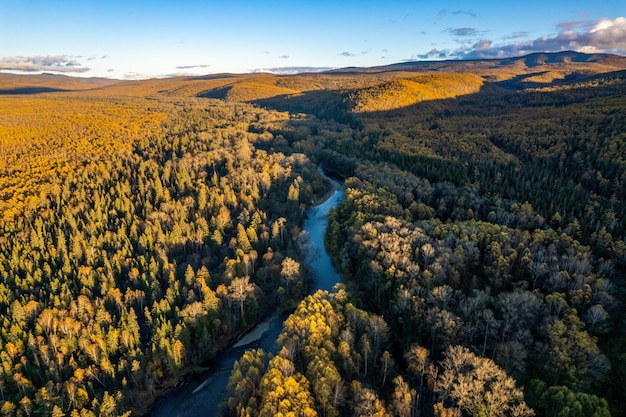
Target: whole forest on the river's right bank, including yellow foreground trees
(486,234)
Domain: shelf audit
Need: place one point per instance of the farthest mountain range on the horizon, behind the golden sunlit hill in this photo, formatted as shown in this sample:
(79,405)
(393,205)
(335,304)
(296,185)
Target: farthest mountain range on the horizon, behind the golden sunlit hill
(537,69)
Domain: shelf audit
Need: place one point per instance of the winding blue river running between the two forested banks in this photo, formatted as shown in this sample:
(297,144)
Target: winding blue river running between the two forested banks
(201,396)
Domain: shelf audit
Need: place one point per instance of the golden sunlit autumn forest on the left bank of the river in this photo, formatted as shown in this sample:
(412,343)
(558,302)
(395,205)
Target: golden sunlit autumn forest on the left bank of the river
(138,238)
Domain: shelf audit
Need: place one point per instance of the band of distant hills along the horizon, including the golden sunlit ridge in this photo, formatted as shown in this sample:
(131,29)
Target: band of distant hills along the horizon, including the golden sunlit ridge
(363,89)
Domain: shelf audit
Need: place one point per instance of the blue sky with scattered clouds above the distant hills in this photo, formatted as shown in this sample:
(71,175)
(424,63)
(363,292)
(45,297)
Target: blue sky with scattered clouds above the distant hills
(128,39)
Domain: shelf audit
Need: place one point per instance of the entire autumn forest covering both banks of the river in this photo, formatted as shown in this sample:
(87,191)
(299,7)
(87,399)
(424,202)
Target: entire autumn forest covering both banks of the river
(481,243)
